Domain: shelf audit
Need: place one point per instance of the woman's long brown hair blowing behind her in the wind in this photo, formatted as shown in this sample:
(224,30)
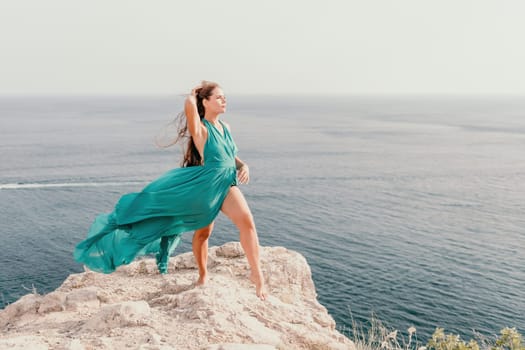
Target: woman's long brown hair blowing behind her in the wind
(191,154)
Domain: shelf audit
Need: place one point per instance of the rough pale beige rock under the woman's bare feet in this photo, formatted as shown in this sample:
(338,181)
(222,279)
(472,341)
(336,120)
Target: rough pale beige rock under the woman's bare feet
(137,308)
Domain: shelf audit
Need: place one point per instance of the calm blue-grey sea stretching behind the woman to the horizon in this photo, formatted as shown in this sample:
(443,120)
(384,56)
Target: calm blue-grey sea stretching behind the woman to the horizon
(409,208)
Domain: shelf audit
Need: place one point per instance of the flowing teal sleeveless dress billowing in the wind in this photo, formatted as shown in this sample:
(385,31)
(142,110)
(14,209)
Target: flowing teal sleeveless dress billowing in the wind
(153,220)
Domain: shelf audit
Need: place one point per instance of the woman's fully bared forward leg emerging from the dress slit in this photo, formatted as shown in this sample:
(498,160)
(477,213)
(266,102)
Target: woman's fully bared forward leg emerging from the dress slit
(236,208)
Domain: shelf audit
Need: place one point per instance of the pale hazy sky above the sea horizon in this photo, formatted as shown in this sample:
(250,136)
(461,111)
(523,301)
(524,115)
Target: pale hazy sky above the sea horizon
(265,46)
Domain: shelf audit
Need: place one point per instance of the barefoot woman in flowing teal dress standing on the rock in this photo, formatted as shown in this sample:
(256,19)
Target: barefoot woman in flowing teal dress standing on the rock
(181,200)
